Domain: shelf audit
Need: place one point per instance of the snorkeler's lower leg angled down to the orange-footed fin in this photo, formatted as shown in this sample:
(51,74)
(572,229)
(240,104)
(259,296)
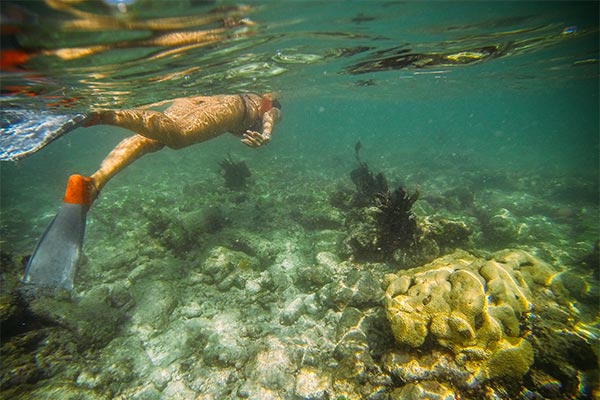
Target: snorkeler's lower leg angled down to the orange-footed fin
(126,152)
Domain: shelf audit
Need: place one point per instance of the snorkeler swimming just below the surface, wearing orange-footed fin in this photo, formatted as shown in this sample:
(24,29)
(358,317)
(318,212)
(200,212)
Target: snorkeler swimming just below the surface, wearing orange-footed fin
(183,122)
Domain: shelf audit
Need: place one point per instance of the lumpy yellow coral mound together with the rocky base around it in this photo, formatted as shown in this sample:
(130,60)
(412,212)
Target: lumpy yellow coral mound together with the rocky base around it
(470,321)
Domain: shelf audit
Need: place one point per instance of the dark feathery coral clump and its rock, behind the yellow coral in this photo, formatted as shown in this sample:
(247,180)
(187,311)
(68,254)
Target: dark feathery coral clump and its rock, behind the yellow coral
(382,224)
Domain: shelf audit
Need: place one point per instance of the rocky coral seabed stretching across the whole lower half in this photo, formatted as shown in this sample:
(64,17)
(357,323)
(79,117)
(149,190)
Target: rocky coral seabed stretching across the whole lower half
(234,294)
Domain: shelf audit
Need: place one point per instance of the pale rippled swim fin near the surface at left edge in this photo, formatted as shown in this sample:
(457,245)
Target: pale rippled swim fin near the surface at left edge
(23,132)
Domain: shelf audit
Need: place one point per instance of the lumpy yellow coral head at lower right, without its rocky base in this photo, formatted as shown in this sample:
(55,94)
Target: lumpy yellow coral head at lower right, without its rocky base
(478,309)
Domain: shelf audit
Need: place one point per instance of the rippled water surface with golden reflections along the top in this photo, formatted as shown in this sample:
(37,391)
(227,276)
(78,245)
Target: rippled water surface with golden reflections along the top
(127,54)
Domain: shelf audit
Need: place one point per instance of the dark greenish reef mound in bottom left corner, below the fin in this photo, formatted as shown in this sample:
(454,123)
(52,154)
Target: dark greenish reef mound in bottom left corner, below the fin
(45,333)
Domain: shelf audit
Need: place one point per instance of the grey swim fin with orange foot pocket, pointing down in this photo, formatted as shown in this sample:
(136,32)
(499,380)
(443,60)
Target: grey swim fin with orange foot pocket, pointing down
(56,256)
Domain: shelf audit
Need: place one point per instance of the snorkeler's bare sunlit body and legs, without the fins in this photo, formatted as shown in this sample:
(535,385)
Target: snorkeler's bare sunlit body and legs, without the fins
(182,122)
